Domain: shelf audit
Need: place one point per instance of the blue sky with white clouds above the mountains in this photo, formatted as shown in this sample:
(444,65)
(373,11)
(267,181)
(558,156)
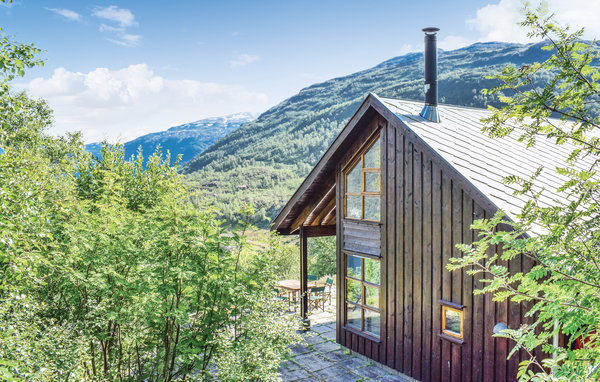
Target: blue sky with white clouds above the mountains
(116,70)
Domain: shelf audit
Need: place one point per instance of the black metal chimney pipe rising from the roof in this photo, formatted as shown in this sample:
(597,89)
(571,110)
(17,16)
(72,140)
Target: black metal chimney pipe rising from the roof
(430,111)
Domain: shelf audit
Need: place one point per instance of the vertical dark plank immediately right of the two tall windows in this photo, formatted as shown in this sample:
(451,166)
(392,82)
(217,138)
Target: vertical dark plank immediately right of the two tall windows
(390,251)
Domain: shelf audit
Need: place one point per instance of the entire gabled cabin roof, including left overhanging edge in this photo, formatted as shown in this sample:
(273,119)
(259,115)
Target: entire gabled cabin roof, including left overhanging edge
(458,139)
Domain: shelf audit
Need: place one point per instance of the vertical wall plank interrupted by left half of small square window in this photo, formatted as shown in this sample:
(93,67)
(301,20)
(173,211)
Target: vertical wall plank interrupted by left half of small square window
(446,276)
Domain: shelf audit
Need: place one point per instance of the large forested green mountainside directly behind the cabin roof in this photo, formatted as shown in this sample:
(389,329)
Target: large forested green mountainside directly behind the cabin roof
(264,161)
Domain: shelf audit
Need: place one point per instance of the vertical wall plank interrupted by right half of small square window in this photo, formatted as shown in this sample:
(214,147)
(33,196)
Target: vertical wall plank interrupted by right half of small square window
(456,276)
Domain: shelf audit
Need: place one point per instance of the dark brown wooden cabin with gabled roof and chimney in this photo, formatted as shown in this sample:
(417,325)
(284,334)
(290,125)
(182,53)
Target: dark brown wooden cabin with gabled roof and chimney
(399,187)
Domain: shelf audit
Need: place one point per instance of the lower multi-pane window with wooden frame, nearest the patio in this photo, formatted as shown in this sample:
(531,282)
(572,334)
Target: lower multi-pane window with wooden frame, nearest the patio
(363,306)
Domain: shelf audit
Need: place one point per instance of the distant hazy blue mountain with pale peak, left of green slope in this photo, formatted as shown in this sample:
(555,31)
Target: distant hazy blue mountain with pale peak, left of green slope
(189,139)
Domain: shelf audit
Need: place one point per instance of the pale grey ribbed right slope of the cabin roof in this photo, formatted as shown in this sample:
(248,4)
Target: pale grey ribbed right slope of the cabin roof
(485,161)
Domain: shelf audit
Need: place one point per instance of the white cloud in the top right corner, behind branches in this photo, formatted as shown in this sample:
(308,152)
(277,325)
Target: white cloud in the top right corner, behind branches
(498,22)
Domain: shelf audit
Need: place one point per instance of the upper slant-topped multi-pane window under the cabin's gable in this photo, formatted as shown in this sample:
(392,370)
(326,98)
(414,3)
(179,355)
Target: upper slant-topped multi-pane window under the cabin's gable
(360,160)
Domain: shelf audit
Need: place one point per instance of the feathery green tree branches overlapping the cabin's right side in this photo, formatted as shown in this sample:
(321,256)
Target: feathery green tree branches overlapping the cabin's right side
(562,290)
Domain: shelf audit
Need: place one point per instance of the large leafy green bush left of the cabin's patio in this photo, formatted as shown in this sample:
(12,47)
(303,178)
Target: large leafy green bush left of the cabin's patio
(150,287)
